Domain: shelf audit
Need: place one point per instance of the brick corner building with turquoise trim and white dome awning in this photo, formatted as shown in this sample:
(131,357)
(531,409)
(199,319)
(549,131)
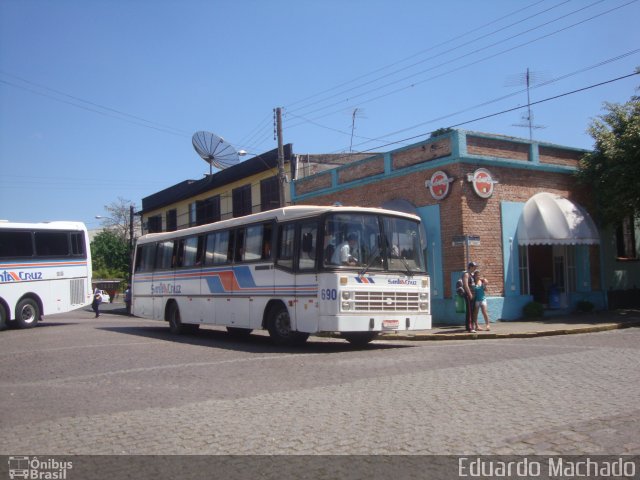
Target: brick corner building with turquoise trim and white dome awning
(509,204)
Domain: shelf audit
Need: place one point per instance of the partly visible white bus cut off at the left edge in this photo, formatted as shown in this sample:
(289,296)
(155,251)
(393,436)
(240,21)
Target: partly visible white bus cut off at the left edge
(45,268)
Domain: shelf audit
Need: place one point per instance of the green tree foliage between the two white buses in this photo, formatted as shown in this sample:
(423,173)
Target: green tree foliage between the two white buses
(110,254)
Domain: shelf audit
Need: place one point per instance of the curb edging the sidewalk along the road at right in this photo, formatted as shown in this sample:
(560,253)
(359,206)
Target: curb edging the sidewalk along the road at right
(492,336)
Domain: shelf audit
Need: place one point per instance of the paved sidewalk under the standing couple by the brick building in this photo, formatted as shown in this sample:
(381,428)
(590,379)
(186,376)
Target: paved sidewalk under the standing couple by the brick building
(560,325)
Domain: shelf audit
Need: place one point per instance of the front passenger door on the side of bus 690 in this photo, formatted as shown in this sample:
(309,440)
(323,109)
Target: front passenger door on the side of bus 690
(306,278)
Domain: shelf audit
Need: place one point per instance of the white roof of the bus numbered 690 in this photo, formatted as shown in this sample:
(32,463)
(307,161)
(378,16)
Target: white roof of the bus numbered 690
(293,212)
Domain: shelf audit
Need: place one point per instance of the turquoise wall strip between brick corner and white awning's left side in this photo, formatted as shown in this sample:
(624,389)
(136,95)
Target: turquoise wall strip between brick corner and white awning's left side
(510,213)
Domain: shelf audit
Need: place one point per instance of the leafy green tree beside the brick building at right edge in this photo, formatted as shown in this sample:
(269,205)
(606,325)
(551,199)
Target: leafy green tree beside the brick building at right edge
(612,170)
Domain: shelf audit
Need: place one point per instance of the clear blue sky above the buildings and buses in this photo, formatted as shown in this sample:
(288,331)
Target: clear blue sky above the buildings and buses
(99,99)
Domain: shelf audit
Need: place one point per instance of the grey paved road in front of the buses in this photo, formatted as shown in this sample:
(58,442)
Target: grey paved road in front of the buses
(122,385)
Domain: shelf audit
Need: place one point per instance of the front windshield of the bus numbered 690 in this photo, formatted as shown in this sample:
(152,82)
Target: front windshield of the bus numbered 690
(369,242)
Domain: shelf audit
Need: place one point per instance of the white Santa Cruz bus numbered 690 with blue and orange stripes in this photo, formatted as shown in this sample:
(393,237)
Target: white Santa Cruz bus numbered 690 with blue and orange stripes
(293,271)
